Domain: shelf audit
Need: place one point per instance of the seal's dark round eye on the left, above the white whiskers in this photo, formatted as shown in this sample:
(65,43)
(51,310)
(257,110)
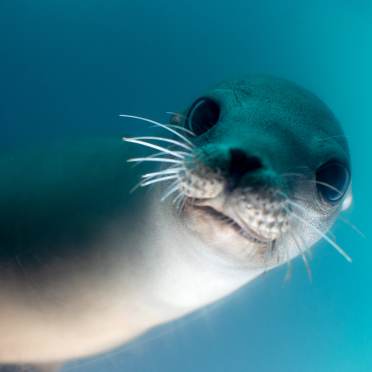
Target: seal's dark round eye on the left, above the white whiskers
(203,115)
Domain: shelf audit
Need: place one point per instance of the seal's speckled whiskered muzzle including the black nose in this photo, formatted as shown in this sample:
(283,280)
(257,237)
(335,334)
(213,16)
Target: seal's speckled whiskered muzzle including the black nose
(240,194)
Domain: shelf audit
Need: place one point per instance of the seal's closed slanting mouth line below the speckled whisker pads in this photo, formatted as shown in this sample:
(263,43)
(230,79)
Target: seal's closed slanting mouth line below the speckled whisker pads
(227,221)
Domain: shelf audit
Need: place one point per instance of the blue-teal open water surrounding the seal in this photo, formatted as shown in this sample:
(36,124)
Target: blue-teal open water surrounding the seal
(69,67)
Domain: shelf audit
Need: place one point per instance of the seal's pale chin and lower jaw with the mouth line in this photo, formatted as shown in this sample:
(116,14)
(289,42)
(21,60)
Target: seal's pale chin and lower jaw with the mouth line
(217,228)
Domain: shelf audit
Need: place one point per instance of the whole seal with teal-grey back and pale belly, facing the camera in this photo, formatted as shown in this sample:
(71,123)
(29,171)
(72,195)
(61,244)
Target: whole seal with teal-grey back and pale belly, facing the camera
(251,175)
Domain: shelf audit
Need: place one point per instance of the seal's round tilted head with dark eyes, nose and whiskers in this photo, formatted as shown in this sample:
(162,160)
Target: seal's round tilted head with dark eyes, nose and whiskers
(265,171)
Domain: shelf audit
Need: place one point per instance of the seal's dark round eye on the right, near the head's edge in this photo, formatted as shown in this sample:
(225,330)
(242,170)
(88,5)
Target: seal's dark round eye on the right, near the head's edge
(332,181)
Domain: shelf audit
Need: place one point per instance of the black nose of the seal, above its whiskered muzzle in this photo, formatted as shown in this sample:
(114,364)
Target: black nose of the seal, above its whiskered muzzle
(240,164)
